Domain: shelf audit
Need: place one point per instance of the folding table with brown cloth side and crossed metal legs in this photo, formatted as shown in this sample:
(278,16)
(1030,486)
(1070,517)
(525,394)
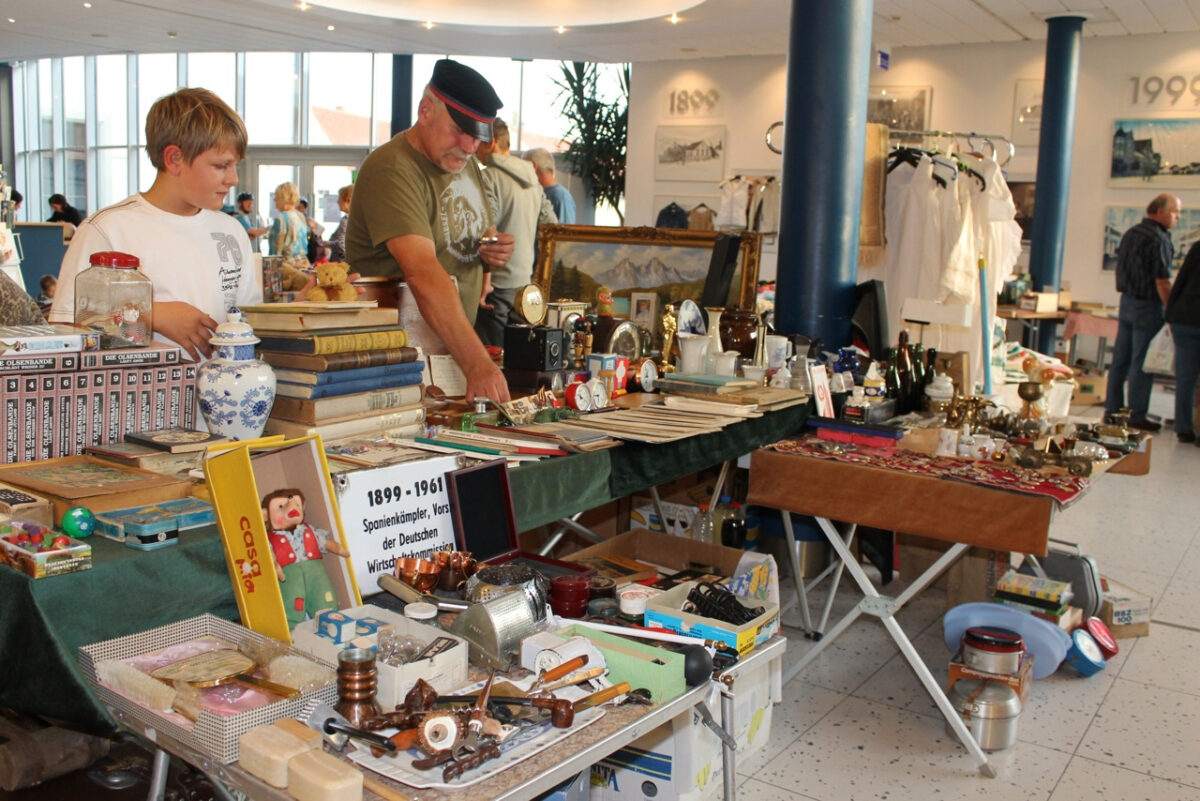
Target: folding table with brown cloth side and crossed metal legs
(861,493)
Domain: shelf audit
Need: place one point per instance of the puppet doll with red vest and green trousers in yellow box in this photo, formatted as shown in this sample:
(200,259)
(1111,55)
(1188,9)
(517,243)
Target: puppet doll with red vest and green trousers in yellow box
(298,549)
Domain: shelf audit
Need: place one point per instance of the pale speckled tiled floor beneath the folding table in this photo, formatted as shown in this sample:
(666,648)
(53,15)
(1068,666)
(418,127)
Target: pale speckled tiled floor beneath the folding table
(857,725)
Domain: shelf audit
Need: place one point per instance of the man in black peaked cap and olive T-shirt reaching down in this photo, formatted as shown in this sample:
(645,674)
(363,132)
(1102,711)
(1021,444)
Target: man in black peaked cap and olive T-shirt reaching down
(421,213)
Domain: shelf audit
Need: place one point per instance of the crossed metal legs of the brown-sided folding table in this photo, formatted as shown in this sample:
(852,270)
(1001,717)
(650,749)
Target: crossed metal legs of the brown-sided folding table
(885,609)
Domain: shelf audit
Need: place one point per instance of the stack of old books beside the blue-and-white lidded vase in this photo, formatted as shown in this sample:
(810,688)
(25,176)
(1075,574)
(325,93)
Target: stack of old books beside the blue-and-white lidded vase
(343,370)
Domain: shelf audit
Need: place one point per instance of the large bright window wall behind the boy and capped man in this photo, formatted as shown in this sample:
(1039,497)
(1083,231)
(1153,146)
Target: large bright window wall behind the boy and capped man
(92,147)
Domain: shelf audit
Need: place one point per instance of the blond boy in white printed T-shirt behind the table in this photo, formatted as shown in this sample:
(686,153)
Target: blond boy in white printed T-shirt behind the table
(201,261)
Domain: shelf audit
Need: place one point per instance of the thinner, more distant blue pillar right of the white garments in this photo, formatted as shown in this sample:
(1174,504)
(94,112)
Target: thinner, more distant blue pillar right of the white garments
(1059,95)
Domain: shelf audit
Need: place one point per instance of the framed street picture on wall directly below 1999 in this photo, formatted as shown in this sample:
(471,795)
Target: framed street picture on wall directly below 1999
(1156,153)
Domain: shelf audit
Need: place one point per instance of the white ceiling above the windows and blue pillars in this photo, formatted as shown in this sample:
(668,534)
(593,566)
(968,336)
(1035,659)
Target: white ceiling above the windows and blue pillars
(711,29)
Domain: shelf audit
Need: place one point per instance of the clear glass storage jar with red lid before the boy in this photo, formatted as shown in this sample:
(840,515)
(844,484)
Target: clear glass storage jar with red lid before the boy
(117,300)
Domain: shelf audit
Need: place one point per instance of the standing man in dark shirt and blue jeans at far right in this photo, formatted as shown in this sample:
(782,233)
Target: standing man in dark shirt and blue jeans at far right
(1144,280)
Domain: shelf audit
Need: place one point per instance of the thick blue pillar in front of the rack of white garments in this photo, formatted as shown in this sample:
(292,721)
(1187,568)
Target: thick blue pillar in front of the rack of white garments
(829,70)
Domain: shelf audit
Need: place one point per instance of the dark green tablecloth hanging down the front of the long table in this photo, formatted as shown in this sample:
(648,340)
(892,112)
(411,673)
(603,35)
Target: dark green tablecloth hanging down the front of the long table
(44,622)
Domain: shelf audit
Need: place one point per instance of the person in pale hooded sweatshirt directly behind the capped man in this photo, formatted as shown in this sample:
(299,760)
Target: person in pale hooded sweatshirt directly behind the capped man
(519,206)
